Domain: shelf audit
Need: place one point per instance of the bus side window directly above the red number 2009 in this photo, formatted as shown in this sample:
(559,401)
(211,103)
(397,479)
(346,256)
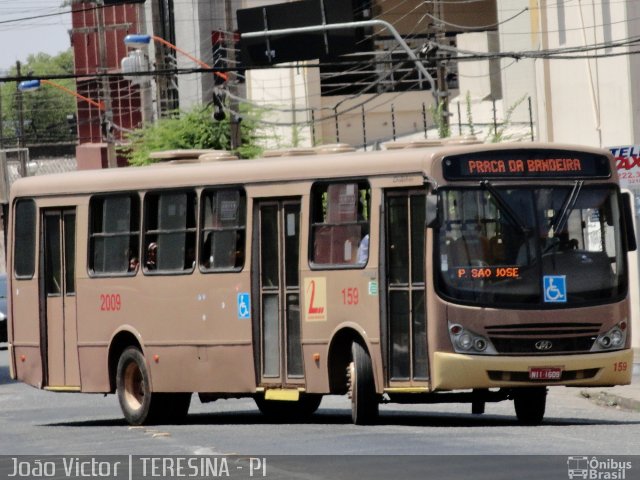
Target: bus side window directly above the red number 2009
(114,235)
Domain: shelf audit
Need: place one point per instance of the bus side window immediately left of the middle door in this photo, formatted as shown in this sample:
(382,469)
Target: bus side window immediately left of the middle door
(222,236)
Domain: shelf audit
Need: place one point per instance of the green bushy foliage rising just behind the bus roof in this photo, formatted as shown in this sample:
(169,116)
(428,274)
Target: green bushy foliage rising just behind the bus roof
(193,129)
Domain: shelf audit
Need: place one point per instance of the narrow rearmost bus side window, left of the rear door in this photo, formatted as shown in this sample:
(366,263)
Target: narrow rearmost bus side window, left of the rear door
(24,247)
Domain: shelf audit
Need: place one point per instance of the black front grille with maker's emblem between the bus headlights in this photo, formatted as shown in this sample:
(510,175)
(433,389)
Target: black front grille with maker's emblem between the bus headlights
(539,338)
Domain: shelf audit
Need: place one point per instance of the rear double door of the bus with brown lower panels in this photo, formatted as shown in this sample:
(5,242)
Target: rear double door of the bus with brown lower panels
(58,329)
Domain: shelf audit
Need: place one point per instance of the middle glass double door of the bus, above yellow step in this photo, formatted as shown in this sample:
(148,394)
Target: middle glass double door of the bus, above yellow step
(277,287)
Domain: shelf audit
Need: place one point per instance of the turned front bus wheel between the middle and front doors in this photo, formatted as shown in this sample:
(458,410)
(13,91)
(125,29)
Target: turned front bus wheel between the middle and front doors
(362,388)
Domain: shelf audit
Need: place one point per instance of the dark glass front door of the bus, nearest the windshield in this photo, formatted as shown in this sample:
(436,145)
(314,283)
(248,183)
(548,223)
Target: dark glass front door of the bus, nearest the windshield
(405,321)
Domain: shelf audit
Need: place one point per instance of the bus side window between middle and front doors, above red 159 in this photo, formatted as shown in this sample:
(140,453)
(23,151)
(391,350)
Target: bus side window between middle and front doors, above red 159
(340,215)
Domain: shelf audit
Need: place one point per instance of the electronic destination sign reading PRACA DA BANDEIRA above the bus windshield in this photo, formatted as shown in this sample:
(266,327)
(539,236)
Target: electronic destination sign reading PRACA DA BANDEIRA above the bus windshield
(523,164)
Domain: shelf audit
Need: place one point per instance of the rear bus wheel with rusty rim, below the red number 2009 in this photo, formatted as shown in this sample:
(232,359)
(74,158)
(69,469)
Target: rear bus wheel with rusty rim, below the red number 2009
(139,405)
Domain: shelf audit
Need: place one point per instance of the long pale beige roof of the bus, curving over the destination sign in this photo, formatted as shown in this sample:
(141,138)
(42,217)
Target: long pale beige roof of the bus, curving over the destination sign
(262,170)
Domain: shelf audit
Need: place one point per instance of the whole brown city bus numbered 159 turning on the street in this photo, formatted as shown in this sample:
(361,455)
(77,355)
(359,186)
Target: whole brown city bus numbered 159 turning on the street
(443,274)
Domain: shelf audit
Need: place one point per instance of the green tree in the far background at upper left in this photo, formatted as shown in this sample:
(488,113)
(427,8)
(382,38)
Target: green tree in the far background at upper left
(46,109)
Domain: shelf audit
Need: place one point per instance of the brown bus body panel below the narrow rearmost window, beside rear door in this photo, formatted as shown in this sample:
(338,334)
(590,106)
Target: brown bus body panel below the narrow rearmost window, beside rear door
(25,331)
